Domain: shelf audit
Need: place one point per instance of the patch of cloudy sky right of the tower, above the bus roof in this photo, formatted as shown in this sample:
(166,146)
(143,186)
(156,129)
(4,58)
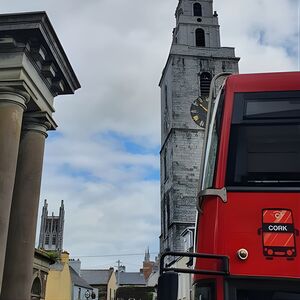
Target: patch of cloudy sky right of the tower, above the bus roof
(264,34)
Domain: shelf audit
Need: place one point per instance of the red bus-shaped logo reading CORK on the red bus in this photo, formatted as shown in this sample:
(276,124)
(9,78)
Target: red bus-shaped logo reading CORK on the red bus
(278,233)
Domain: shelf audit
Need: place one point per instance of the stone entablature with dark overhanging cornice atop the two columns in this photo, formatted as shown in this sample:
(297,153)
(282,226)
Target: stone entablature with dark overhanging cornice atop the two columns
(33,60)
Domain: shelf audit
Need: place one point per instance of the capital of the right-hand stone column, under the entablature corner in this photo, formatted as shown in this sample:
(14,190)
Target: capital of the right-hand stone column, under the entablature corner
(38,121)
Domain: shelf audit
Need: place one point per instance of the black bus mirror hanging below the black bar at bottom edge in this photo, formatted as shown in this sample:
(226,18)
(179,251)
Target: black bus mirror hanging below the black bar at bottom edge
(167,286)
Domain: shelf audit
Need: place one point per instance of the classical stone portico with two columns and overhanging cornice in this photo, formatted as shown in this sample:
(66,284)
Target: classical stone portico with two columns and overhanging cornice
(34,69)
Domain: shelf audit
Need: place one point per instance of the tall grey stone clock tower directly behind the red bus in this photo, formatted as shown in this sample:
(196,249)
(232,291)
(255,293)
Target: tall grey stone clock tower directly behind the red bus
(195,57)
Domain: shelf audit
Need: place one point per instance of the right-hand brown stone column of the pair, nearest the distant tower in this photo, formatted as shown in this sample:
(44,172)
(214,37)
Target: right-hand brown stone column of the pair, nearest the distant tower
(17,276)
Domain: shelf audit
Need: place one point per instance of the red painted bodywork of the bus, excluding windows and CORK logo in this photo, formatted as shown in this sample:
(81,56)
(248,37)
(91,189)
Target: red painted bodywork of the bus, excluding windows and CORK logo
(224,228)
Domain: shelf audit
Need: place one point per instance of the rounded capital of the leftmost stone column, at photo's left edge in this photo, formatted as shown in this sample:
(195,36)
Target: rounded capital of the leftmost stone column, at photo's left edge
(12,95)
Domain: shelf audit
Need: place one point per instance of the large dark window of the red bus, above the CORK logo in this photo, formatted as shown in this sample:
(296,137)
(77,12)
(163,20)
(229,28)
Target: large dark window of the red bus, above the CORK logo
(264,146)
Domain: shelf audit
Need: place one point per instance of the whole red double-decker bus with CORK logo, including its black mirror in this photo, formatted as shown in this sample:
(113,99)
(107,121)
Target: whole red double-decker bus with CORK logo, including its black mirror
(249,201)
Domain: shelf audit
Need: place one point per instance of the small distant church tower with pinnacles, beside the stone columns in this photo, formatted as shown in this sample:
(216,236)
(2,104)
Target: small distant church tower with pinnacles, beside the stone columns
(52,229)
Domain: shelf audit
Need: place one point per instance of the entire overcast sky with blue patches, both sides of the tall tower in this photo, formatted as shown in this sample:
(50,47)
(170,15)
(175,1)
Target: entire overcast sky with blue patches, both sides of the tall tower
(103,160)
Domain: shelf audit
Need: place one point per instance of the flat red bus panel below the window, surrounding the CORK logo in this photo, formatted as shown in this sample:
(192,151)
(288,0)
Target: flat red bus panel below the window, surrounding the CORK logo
(240,227)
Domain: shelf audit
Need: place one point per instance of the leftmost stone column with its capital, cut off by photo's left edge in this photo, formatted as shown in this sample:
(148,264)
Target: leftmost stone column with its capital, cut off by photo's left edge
(12,105)
